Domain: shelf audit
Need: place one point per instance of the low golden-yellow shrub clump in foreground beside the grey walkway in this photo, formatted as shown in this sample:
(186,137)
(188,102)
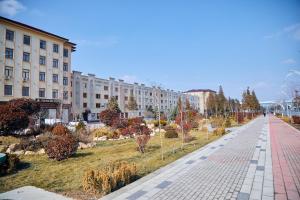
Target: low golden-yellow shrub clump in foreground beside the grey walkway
(110,178)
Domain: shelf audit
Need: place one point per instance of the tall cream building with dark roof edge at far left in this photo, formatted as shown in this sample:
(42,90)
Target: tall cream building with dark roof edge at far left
(35,64)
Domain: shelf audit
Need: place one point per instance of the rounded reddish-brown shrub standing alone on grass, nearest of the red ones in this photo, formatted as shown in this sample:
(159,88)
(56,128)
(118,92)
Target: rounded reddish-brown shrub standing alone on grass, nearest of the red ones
(61,147)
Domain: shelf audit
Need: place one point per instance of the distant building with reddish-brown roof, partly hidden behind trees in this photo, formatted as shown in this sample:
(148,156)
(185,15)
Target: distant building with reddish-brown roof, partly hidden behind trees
(202,95)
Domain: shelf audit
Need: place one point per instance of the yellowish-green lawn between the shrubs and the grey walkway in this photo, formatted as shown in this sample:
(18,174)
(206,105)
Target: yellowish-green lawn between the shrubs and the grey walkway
(65,176)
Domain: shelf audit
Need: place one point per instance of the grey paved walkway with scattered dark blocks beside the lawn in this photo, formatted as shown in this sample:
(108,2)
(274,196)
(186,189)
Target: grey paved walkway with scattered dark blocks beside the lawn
(237,166)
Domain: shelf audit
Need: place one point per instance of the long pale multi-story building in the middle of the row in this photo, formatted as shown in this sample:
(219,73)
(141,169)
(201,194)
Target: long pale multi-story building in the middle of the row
(92,93)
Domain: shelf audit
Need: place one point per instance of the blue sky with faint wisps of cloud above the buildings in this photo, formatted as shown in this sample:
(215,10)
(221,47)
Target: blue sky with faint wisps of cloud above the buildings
(180,45)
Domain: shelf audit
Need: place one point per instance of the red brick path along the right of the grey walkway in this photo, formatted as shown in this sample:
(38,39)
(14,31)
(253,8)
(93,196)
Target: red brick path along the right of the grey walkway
(285,144)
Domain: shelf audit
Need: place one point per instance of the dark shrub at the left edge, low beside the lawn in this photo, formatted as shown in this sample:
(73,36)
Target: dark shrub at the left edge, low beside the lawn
(10,165)
